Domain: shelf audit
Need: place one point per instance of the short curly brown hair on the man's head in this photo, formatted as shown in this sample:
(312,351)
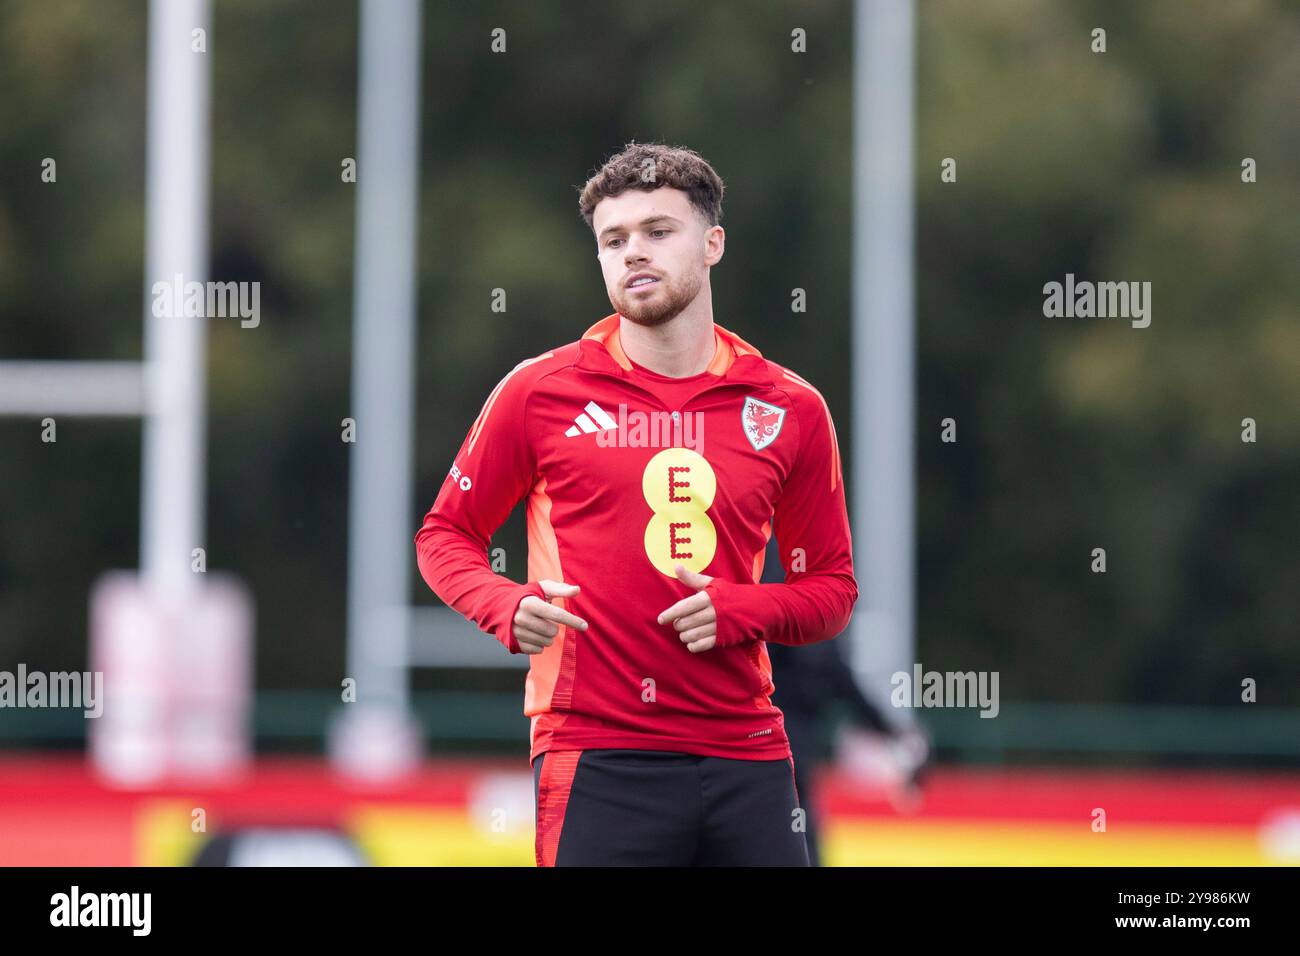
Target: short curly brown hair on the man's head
(648,167)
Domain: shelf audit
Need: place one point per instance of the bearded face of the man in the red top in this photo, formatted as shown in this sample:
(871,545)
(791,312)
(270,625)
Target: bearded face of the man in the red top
(661,235)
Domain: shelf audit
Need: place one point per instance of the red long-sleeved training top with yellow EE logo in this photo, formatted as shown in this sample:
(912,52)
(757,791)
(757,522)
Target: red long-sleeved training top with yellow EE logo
(627,474)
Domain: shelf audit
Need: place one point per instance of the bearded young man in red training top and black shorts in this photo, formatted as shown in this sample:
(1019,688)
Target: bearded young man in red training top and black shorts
(658,453)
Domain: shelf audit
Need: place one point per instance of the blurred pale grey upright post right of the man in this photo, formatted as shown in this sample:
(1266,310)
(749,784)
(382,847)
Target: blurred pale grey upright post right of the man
(883,631)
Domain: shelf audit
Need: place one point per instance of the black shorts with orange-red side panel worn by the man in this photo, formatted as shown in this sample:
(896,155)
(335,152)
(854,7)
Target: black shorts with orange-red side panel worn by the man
(651,808)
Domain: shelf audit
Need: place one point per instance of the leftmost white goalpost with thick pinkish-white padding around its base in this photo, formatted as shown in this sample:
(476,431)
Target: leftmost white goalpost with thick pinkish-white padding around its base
(177,657)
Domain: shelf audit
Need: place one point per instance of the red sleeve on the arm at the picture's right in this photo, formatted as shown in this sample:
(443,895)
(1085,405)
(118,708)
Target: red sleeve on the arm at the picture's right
(812,525)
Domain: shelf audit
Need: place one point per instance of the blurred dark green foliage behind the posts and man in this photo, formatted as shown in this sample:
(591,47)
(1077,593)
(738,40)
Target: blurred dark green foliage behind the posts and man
(1073,434)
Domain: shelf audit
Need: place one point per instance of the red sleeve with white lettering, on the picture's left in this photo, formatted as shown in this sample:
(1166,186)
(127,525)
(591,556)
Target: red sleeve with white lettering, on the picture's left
(493,470)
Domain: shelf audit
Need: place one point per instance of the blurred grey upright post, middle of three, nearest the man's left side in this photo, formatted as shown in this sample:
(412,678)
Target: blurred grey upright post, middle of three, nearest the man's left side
(378,737)
